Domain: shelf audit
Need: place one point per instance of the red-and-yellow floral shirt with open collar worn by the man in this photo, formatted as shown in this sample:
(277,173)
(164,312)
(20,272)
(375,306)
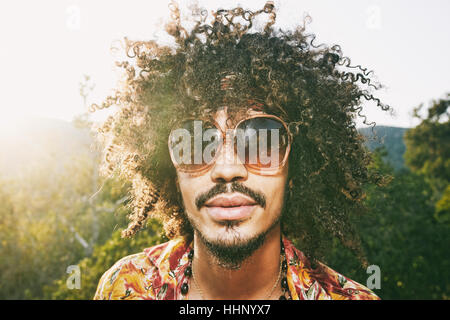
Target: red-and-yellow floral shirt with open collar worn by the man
(157,273)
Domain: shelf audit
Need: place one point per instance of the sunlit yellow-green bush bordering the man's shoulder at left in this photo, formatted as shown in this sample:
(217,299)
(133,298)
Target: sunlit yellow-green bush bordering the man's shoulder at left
(103,257)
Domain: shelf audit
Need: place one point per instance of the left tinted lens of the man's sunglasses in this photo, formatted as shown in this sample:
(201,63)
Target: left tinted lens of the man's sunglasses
(194,144)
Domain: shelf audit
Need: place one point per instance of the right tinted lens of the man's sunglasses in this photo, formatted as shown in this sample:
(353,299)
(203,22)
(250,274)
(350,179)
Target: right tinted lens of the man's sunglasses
(262,142)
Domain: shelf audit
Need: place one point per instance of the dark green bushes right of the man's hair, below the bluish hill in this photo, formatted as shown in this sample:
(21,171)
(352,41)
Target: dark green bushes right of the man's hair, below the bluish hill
(401,236)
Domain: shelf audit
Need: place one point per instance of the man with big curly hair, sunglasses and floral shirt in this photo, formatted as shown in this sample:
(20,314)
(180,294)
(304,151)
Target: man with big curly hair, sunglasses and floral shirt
(241,142)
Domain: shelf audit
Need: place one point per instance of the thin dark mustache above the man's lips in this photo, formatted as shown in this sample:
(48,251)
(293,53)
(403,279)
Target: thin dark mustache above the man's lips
(220,188)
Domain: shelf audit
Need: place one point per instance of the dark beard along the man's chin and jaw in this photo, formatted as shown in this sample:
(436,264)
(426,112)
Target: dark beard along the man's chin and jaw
(230,254)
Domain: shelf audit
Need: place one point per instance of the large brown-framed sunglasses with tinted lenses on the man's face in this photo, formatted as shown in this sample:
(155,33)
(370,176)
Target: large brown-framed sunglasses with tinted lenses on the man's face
(261,142)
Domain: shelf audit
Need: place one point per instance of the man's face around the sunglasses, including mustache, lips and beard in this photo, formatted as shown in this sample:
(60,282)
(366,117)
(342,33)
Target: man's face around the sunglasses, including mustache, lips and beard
(230,207)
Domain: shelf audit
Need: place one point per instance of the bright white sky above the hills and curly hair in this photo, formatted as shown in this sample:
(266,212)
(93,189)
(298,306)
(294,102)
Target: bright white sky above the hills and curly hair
(47,46)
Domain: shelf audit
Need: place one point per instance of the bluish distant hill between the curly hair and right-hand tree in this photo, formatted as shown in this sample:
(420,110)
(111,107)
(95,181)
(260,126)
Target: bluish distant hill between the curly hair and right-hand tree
(389,137)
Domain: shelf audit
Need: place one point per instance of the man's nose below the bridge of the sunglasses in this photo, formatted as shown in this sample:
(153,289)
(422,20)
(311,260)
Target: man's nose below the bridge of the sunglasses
(228,167)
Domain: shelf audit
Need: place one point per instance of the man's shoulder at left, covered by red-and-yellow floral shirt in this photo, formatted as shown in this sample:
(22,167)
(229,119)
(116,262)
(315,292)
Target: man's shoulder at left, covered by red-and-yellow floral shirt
(132,277)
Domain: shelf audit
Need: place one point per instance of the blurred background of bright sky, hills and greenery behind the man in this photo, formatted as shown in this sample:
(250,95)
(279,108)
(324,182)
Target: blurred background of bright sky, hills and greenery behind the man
(60,221)
